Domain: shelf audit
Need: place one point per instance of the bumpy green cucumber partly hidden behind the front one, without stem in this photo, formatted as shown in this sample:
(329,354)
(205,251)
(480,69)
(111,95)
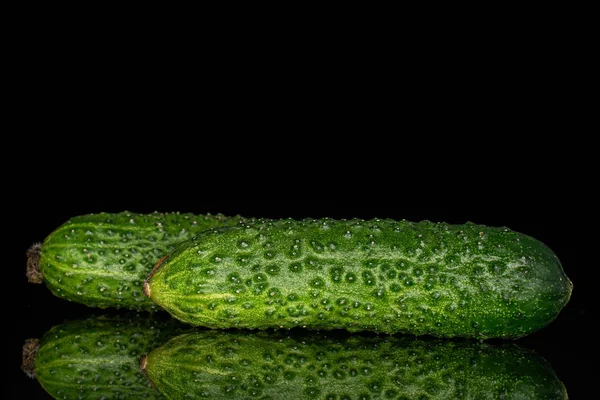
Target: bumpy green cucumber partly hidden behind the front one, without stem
(101,260)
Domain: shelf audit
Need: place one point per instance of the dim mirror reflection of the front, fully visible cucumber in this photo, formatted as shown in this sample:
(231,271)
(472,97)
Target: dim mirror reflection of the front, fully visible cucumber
(272,365)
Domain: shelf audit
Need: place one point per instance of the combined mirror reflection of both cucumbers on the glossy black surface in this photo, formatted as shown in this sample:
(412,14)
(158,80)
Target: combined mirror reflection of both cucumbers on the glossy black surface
(100,357)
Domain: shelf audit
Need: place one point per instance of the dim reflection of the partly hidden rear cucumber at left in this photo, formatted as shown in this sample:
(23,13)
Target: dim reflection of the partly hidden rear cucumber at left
(98,357)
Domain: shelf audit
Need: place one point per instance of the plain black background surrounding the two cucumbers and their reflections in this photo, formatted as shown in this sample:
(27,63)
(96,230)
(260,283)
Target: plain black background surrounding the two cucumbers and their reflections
(476,128)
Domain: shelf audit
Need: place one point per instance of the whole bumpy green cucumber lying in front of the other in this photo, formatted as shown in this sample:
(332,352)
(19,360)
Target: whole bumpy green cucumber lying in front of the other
(382,275)
